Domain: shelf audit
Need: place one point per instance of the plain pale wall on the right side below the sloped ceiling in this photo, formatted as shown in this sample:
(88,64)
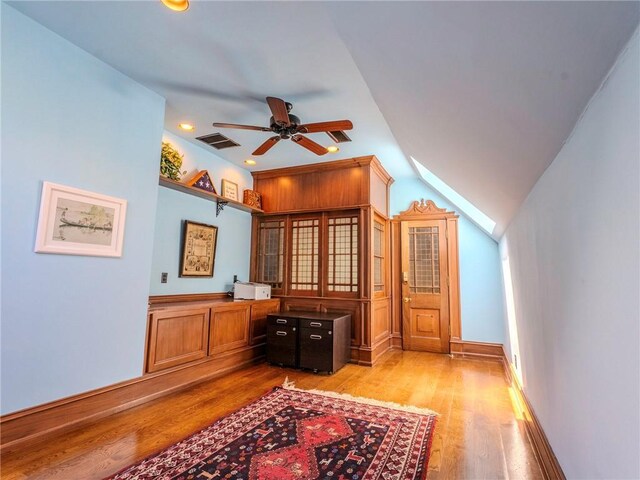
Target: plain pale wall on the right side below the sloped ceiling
(574,251)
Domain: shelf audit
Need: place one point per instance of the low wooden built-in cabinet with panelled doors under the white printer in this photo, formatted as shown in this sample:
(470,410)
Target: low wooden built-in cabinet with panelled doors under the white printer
(193,328)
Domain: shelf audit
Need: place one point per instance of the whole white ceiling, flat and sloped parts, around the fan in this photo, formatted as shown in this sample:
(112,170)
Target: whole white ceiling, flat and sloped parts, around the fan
(482,93)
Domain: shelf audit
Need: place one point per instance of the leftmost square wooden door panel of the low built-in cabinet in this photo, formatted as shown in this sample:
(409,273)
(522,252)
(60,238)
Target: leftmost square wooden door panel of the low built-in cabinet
(177,337)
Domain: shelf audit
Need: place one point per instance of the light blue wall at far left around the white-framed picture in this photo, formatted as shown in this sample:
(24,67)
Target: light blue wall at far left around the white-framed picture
(70,323)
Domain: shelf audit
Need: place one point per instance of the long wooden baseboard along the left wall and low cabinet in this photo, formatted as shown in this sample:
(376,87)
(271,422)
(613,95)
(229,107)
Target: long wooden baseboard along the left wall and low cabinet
(81,409)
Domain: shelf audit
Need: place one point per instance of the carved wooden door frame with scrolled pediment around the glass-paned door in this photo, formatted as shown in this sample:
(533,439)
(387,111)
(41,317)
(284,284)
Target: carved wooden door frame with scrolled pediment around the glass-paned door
(426,210)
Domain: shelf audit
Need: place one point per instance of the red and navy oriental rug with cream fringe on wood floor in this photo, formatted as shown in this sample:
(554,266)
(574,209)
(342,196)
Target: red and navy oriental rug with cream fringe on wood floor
(292,434)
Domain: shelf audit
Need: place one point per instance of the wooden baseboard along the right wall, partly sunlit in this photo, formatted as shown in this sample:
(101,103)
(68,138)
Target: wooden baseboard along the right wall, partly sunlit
(551,469)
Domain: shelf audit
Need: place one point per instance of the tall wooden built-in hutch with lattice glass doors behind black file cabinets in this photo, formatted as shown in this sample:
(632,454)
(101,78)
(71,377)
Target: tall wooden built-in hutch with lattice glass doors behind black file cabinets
(322,244)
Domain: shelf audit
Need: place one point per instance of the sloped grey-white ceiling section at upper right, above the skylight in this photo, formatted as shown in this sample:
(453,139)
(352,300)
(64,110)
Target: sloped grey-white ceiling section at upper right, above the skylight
(485,93)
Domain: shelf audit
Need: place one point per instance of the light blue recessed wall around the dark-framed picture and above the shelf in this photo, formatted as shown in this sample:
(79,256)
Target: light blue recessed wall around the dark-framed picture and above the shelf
(234,226)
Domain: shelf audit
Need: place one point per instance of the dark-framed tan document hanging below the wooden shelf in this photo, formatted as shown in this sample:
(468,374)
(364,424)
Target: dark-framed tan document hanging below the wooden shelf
(198,251)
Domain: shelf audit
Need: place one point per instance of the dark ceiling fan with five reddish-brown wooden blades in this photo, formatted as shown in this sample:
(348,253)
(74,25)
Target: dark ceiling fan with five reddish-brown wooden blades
(285,125)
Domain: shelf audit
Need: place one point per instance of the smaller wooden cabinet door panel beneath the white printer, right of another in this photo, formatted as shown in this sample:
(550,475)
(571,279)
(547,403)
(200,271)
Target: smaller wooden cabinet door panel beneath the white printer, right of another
(229,328)
